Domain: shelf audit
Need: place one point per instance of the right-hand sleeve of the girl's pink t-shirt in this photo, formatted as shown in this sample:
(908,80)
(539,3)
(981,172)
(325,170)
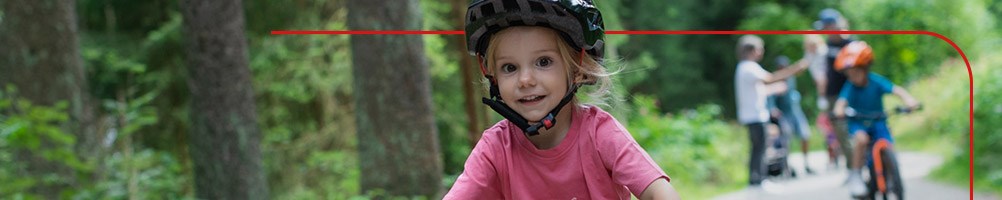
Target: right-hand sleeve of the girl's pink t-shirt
(628,162)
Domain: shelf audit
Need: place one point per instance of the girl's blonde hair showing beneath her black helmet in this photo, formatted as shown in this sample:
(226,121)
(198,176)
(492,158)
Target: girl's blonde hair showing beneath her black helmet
(591,68)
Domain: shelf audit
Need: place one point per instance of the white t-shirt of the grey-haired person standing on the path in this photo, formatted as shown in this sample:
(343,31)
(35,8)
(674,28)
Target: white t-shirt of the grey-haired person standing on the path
(751,91)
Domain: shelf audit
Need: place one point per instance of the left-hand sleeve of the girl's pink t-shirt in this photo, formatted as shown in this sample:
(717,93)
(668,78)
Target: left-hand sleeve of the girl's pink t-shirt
(479,178)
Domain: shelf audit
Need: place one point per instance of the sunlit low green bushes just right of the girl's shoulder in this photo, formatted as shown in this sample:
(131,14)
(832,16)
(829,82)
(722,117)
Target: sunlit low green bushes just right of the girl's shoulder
(697,149)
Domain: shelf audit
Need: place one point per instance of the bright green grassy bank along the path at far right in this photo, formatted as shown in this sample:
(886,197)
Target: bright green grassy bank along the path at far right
(942,127)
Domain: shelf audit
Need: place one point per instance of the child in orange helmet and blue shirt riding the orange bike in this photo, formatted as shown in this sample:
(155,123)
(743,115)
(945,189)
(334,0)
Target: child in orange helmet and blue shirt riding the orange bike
(864,94)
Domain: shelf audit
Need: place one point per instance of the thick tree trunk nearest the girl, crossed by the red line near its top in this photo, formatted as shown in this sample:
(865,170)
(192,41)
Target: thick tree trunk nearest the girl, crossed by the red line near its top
(398,141)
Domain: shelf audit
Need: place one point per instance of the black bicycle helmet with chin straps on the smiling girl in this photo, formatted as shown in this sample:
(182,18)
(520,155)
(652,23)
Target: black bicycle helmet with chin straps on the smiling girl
(579,22)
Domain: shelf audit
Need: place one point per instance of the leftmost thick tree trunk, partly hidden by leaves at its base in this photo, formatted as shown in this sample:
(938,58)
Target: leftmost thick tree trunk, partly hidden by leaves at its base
(40,55)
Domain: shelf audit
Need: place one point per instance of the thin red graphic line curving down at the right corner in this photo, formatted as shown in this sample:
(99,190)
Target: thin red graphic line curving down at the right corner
(970,74)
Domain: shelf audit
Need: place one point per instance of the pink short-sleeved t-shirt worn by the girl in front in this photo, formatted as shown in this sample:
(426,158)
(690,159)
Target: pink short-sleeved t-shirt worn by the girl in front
(599,159)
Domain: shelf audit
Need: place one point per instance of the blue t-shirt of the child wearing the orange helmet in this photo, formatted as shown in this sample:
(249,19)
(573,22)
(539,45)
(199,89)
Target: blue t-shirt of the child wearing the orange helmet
(867,100)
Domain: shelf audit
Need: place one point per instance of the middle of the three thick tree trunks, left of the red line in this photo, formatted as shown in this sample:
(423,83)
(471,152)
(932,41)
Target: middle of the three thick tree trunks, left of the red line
(225,138)
